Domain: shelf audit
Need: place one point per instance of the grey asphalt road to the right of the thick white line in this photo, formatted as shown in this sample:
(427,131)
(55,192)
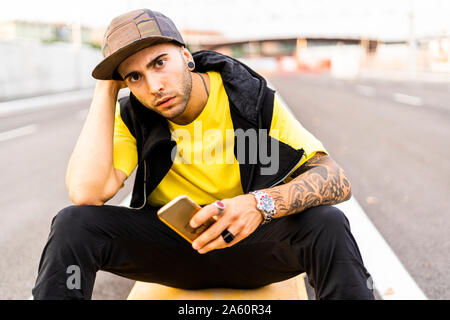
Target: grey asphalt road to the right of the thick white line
(392,139)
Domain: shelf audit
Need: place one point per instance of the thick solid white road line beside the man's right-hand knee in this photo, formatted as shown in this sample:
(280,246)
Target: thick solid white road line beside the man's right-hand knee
(391,280)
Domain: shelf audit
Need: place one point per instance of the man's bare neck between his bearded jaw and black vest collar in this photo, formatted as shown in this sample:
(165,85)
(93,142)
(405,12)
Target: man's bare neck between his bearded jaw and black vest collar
(197,100)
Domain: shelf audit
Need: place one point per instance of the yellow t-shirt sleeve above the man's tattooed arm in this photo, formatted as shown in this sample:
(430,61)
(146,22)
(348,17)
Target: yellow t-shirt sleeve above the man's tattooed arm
(289,130)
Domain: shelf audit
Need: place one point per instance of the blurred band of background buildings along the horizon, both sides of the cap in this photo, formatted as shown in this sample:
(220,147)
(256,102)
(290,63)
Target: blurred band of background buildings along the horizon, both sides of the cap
(342,56)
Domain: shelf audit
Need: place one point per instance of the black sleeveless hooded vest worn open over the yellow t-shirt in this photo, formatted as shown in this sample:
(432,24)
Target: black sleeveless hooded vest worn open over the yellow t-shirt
(251,107)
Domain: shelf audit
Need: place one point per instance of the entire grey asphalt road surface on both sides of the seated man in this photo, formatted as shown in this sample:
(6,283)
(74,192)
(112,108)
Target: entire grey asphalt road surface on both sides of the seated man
(390,137)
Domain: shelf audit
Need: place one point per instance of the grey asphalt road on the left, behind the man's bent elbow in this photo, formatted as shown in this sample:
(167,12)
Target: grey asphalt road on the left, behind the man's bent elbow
(32,191)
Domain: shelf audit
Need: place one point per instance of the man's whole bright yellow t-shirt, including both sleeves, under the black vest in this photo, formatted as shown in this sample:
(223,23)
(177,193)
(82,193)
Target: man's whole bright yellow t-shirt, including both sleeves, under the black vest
(205,167)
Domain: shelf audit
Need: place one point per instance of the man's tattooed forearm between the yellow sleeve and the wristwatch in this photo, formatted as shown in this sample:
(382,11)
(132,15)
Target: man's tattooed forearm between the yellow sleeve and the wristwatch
(319,181)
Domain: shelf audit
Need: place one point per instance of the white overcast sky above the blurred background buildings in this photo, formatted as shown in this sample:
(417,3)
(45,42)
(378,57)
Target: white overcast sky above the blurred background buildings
(385,19)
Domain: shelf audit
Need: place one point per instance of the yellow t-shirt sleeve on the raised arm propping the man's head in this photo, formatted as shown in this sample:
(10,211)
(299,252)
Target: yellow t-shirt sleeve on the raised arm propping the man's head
(124,151)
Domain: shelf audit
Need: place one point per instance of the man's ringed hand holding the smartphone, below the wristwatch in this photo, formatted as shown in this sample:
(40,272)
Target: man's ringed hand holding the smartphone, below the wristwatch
(240,217)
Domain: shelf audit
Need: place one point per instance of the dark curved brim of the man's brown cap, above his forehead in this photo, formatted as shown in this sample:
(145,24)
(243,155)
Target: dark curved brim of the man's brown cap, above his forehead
(105,69)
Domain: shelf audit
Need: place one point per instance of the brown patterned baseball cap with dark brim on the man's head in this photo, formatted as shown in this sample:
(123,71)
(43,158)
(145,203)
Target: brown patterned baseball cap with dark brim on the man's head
(129,33)
